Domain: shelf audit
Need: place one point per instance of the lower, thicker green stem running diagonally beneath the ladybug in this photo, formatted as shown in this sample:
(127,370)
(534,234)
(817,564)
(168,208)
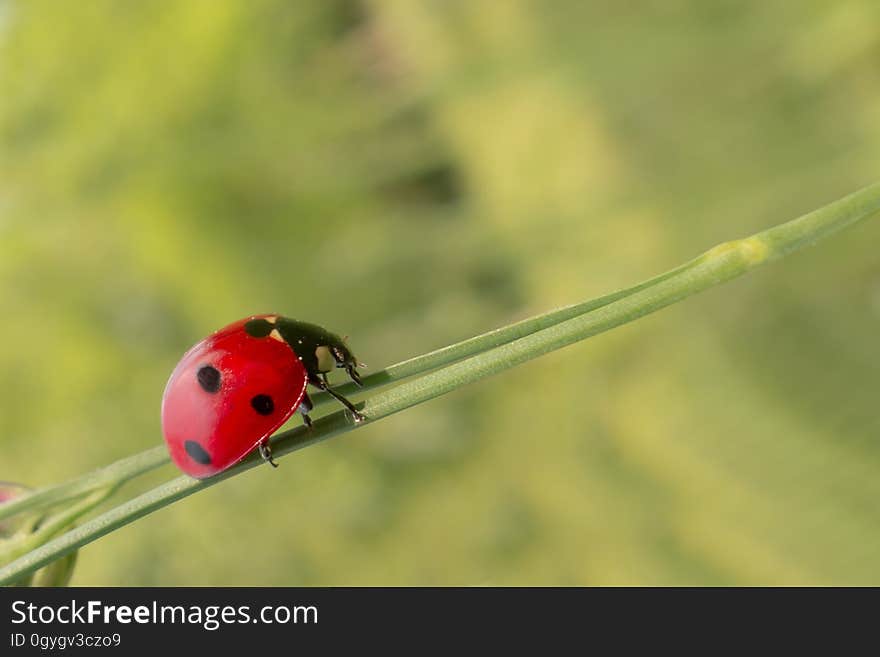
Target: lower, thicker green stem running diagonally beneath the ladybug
(720,264)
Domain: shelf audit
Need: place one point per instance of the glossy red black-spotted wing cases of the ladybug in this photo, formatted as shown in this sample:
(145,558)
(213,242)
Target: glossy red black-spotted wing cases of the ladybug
(228,393)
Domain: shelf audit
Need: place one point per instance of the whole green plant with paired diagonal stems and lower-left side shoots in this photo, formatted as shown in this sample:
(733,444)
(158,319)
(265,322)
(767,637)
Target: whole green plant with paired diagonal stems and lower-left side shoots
(493,352)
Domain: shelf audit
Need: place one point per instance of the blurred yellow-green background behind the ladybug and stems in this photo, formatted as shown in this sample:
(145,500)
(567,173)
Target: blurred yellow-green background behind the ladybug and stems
(412,173)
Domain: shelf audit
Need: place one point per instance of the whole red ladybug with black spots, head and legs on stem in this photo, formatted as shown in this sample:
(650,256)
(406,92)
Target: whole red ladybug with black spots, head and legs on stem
(233,389)
